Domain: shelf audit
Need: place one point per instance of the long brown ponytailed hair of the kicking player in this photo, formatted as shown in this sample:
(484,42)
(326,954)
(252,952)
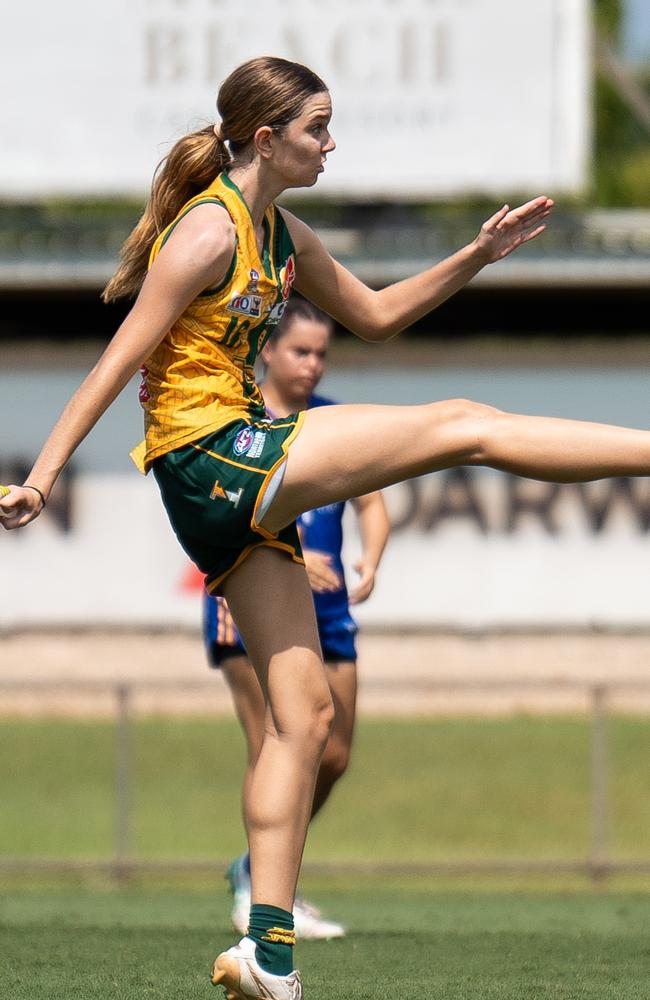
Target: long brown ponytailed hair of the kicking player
(263,91)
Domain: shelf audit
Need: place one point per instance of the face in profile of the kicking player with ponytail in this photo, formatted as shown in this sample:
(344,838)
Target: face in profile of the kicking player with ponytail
(301,153)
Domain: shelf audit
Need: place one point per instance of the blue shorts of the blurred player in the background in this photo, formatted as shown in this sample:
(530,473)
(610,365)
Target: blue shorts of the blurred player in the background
(337,635)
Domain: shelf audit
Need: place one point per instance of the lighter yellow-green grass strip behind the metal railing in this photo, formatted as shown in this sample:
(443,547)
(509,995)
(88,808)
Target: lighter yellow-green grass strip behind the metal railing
(419,790)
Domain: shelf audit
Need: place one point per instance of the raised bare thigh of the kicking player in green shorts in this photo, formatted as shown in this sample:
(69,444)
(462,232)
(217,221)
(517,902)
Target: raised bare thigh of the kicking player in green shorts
(349,450)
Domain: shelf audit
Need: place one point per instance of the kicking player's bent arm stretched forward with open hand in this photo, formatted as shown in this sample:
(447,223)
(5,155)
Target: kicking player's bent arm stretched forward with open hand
(379,315)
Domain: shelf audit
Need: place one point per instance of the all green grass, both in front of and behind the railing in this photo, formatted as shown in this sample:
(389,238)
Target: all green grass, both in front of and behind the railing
(419,790)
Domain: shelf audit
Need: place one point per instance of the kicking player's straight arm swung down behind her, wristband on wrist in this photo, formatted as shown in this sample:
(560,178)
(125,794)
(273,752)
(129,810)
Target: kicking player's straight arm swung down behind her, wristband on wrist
(196,257)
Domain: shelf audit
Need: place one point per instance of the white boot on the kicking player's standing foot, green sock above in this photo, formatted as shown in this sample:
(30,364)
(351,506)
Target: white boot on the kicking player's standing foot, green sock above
(243,979)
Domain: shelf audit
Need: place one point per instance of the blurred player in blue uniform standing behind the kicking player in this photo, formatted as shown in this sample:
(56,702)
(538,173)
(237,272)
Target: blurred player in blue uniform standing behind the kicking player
(294,362)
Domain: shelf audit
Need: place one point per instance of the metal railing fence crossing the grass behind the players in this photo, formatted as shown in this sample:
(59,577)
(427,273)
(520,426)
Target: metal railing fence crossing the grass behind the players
(597,864)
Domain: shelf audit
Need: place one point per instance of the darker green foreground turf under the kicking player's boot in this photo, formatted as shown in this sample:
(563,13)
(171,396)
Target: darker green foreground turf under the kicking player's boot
(403,943)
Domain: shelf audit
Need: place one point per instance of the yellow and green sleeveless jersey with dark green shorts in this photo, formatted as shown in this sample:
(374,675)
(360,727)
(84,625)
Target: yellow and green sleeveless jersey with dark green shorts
(212,449)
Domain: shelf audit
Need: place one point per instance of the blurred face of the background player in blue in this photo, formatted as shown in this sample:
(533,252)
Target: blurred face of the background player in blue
(295,363)
